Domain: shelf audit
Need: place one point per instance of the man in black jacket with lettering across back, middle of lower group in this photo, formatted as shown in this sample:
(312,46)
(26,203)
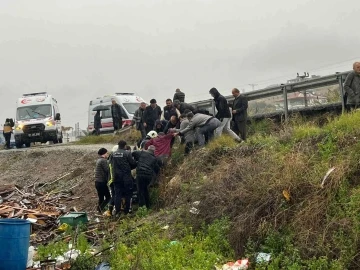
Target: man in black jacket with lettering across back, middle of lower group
(122,163)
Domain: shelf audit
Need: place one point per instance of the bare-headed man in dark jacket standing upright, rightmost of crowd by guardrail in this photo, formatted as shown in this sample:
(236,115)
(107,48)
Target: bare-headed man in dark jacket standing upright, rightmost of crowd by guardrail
(239,111)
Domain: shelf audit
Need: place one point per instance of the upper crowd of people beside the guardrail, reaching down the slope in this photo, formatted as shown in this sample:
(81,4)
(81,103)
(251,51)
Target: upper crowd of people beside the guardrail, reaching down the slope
(194,126)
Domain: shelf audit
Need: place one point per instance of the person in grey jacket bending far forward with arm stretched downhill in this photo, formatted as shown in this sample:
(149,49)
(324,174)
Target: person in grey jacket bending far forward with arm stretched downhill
(203,124)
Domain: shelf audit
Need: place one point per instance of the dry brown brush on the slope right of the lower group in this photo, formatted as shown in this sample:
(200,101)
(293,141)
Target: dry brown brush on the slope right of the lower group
(316,227)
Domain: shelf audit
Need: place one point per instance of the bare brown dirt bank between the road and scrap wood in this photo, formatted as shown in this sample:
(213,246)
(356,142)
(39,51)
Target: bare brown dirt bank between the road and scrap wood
(74,164)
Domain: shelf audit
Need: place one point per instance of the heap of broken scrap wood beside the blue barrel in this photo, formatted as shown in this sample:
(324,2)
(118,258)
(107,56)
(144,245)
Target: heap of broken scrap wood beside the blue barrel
(41,209)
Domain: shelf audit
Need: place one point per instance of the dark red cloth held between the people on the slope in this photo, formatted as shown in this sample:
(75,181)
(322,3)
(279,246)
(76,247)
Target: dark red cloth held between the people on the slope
(162,145)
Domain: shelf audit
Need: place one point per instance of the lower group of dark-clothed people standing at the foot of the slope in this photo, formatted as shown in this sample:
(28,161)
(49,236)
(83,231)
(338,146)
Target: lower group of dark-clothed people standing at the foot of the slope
(115,181)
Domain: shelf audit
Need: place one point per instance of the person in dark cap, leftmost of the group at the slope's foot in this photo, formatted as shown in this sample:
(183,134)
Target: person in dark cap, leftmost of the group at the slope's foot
(101,179)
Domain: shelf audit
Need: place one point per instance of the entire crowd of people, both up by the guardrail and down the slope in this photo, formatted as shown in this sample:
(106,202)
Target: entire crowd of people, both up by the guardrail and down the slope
(114,172)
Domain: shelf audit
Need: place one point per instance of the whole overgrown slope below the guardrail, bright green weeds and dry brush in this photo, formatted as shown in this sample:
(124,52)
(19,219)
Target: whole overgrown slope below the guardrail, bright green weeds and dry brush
(292,191)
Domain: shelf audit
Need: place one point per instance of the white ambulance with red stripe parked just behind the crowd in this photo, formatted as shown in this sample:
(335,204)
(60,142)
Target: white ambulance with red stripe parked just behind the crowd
(129,103)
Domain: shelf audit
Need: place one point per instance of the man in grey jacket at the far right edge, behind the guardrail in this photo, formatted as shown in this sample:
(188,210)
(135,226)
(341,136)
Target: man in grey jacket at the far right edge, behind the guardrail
(352,87)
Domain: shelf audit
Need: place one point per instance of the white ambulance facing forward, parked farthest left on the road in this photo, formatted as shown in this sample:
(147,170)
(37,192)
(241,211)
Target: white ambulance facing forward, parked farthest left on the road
(37,120)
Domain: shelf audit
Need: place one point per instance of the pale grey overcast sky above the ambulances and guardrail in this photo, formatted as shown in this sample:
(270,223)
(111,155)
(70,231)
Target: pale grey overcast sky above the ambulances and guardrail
(83,49)
